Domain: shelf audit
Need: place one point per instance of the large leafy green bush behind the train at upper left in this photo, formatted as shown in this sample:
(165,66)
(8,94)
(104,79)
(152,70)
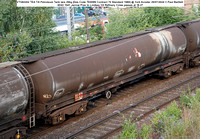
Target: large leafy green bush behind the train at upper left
(23,31)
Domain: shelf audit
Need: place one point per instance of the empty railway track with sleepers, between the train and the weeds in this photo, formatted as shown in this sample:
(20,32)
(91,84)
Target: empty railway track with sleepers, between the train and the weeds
(113,123)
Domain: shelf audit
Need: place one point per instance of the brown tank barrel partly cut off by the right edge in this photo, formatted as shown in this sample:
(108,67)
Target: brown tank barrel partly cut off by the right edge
(192,33)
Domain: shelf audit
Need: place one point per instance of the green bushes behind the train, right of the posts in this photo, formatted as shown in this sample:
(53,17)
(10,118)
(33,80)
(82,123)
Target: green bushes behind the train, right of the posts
(132,20)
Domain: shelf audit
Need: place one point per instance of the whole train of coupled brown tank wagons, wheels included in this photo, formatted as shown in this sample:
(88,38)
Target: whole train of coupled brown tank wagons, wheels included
(59,83)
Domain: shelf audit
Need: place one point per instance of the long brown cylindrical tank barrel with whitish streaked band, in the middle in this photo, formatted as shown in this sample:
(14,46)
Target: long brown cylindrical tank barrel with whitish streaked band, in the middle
(72,72)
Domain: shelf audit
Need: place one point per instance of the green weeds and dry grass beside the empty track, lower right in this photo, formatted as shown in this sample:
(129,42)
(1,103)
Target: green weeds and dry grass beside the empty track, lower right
(175,122)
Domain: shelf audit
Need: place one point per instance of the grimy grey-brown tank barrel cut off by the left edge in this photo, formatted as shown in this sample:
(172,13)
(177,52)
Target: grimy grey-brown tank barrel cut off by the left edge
(13,92)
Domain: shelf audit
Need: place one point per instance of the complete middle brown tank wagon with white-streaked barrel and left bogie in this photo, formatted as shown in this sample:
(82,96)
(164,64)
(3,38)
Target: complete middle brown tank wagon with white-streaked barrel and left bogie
(62,78)
